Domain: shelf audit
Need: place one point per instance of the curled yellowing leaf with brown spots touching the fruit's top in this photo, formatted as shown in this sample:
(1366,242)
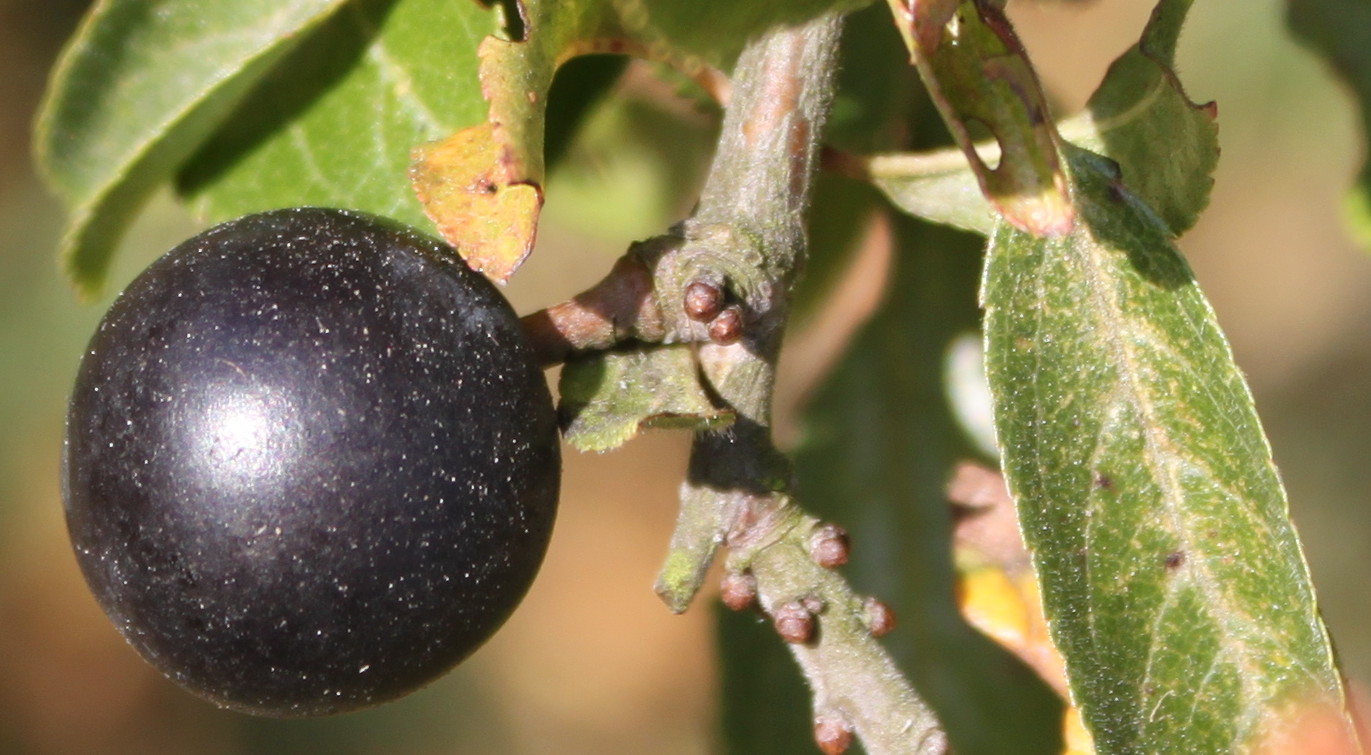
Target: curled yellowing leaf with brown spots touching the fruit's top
(516,77)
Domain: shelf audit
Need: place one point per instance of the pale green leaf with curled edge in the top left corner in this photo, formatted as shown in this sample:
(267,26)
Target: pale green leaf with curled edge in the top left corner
(139,87)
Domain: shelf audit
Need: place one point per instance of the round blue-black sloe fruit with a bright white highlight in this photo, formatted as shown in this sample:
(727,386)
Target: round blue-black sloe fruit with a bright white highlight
(311,462)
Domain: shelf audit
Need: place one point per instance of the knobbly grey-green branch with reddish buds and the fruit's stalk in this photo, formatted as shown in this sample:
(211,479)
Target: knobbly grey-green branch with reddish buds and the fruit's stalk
(723,280)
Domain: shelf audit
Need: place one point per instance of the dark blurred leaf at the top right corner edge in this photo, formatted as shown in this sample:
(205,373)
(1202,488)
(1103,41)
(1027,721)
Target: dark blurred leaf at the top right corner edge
(1339,31)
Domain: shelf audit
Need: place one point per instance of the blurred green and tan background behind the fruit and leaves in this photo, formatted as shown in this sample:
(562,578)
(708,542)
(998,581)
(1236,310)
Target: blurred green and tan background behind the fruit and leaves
(593,663)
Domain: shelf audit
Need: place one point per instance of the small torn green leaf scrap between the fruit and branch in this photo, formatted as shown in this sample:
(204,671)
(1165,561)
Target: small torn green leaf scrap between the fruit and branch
(608,398)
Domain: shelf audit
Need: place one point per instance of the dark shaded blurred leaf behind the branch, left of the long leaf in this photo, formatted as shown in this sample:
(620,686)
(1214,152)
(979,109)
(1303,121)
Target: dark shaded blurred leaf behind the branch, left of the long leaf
(881,445)
